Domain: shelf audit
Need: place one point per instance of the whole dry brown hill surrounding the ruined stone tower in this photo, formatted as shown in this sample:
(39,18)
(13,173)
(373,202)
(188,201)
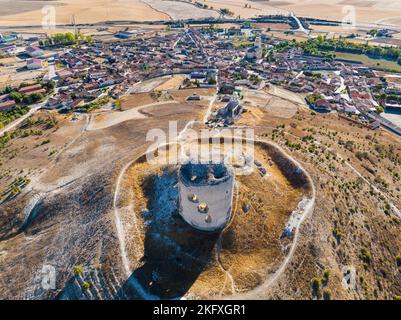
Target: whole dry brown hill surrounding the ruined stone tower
(72,198)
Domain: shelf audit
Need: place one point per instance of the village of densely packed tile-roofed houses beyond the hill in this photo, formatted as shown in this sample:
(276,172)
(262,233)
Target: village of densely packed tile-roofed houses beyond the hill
(97,74)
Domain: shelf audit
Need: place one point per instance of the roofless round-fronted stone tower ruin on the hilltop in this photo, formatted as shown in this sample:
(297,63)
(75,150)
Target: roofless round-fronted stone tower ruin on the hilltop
(205,195)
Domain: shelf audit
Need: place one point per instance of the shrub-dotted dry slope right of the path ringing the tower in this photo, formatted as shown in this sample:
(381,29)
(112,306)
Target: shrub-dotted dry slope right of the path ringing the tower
(356,221)
